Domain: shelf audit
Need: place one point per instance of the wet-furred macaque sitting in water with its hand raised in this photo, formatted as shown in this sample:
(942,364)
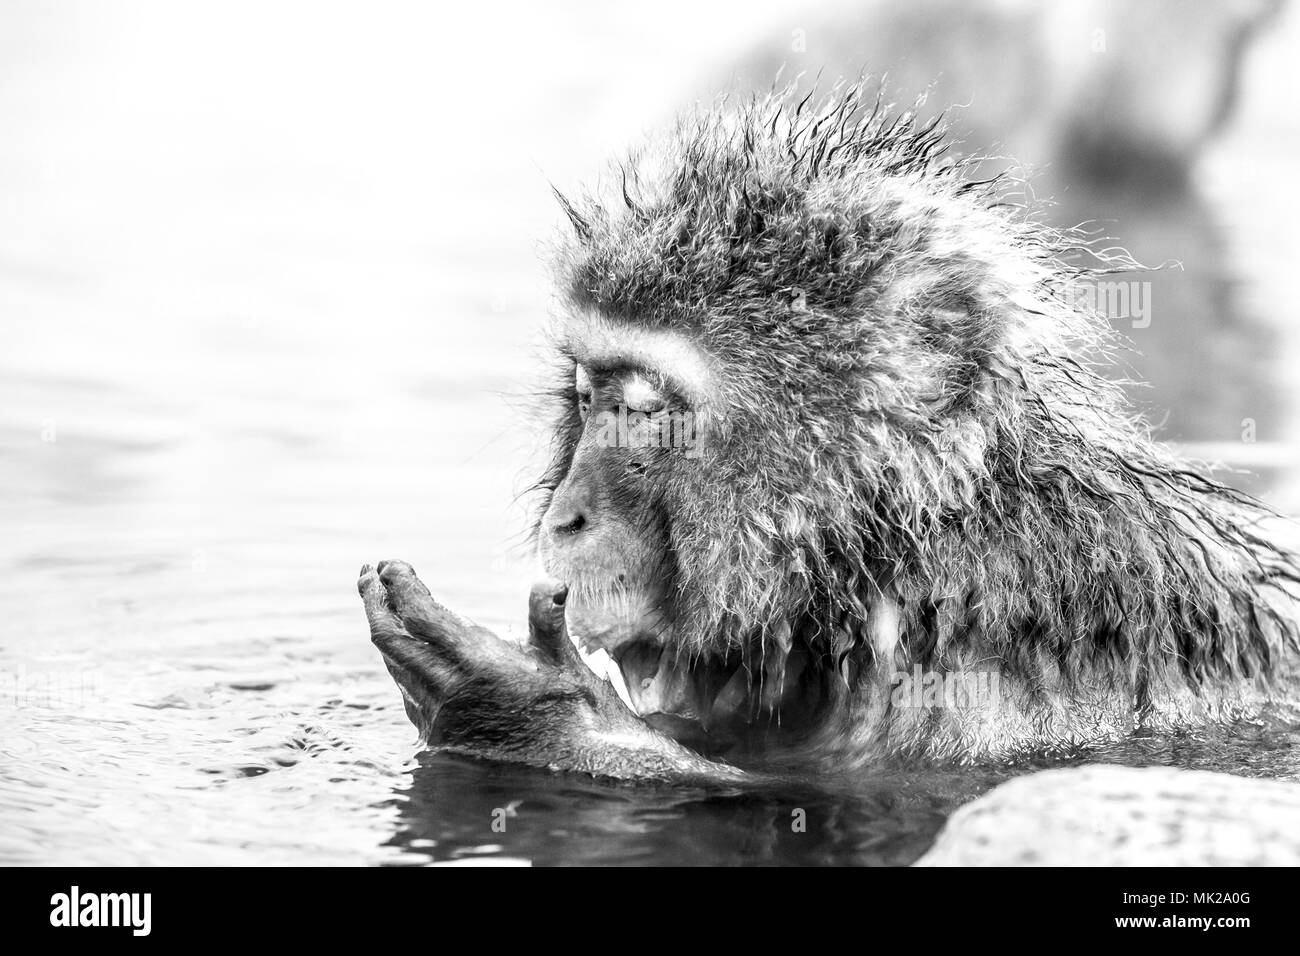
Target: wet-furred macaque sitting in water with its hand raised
(835,482)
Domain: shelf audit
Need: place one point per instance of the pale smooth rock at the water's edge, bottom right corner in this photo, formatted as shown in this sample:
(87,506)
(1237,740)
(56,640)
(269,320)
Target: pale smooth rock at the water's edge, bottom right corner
(1113,816)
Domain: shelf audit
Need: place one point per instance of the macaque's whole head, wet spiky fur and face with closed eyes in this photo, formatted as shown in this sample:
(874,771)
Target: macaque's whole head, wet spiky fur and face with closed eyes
(778,348)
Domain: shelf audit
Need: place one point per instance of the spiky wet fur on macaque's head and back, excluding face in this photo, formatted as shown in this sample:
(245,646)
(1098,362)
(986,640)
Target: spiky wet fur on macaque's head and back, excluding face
(909,409)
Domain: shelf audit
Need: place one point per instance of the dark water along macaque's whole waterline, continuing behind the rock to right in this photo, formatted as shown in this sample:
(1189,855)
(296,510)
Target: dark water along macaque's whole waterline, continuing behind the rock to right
(454,810)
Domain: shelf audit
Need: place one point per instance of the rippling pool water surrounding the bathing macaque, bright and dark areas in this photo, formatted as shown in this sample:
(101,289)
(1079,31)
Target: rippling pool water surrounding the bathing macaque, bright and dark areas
(261,327)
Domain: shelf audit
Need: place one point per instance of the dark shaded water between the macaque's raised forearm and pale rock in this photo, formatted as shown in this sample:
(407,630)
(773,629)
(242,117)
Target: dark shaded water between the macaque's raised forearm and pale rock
(458,810)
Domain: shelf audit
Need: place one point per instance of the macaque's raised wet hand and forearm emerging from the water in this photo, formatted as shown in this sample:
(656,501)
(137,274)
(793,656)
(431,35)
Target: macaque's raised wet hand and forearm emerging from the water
(469,691)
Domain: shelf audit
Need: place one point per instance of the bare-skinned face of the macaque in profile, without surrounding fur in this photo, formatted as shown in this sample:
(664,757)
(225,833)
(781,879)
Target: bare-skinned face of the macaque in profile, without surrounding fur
(634,443)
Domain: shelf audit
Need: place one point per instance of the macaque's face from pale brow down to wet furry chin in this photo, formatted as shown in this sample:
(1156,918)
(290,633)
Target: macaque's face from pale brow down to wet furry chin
(635,500)
